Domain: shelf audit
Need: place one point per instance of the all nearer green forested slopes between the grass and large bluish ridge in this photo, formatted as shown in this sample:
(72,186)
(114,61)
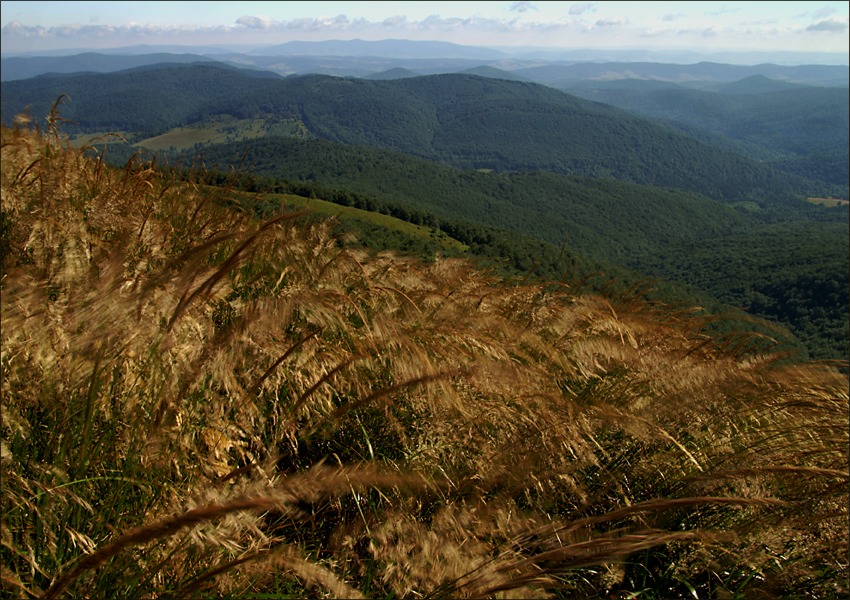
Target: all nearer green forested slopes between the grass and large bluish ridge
(767,262)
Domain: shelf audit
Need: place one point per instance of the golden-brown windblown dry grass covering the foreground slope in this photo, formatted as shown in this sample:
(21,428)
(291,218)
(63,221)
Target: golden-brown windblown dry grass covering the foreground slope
(196,403)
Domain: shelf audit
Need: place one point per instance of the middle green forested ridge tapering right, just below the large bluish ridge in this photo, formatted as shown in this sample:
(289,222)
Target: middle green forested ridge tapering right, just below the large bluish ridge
(603,219)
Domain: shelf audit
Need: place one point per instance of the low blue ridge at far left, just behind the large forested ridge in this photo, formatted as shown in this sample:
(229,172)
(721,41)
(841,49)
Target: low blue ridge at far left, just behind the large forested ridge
(23,68)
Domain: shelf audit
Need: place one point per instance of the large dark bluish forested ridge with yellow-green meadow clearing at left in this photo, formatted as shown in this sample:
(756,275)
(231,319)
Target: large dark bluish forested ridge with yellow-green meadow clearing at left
(460,120)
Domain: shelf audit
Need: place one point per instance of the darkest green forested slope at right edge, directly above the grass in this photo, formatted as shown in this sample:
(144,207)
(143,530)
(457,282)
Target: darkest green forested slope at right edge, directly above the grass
(791,273)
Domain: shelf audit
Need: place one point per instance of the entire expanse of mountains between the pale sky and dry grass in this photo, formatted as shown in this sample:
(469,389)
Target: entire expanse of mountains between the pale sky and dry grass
(676,171)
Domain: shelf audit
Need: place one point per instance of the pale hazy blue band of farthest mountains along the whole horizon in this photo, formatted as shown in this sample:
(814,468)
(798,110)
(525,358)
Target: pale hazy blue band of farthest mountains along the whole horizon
(358,58)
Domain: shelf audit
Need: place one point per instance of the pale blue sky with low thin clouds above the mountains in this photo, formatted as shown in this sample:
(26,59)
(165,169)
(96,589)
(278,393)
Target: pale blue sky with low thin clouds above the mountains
(810,26)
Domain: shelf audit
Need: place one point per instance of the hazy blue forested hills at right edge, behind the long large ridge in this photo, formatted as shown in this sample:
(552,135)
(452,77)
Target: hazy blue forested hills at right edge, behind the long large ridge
(799,128)
